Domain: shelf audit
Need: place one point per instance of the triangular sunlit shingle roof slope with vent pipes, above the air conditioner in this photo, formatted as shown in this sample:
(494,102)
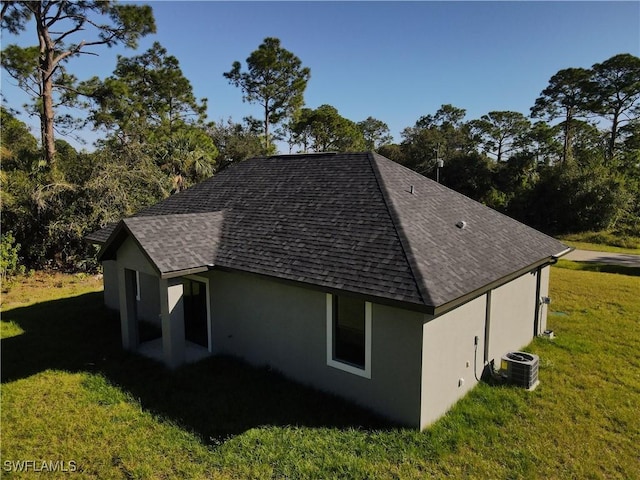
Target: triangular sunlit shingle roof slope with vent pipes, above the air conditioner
(448,260)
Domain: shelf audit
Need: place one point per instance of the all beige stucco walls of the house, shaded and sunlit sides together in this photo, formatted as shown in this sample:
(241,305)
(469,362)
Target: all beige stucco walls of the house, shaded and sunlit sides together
(420,365)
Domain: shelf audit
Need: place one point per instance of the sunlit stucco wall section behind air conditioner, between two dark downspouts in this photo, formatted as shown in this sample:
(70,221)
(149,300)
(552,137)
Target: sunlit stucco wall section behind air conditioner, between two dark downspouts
(512,309)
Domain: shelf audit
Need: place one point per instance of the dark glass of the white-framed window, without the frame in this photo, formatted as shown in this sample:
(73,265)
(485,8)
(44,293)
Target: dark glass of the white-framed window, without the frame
(348,330)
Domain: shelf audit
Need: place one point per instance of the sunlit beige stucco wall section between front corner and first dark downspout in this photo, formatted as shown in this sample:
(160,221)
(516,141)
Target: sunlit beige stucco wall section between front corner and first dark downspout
(448,357)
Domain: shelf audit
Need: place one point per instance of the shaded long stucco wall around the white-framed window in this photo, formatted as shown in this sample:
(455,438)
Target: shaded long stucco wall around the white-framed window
(284,326)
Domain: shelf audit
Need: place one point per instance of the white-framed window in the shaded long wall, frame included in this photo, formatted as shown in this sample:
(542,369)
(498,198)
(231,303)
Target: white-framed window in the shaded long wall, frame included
(349,334)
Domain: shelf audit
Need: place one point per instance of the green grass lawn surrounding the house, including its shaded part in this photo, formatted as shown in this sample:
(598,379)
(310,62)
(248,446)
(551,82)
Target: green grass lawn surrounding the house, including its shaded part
(69,393)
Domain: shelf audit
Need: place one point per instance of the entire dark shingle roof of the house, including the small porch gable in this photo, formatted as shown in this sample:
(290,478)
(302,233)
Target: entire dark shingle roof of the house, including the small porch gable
(340,221)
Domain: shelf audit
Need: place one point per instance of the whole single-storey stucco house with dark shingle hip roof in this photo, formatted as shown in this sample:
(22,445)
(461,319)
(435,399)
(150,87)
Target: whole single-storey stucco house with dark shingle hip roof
(347,272)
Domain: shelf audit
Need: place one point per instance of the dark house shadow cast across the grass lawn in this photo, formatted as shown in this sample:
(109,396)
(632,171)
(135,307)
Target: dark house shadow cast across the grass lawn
(216,398)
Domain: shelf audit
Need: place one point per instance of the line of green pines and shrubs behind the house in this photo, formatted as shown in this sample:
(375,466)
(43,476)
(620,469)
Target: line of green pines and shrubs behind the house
(572,165)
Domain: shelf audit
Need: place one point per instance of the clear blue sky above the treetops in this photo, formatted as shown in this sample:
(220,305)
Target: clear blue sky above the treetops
(395,61)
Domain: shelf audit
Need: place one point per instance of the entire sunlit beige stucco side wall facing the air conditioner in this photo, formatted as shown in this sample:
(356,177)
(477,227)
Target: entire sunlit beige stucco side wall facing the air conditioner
(448,340)
